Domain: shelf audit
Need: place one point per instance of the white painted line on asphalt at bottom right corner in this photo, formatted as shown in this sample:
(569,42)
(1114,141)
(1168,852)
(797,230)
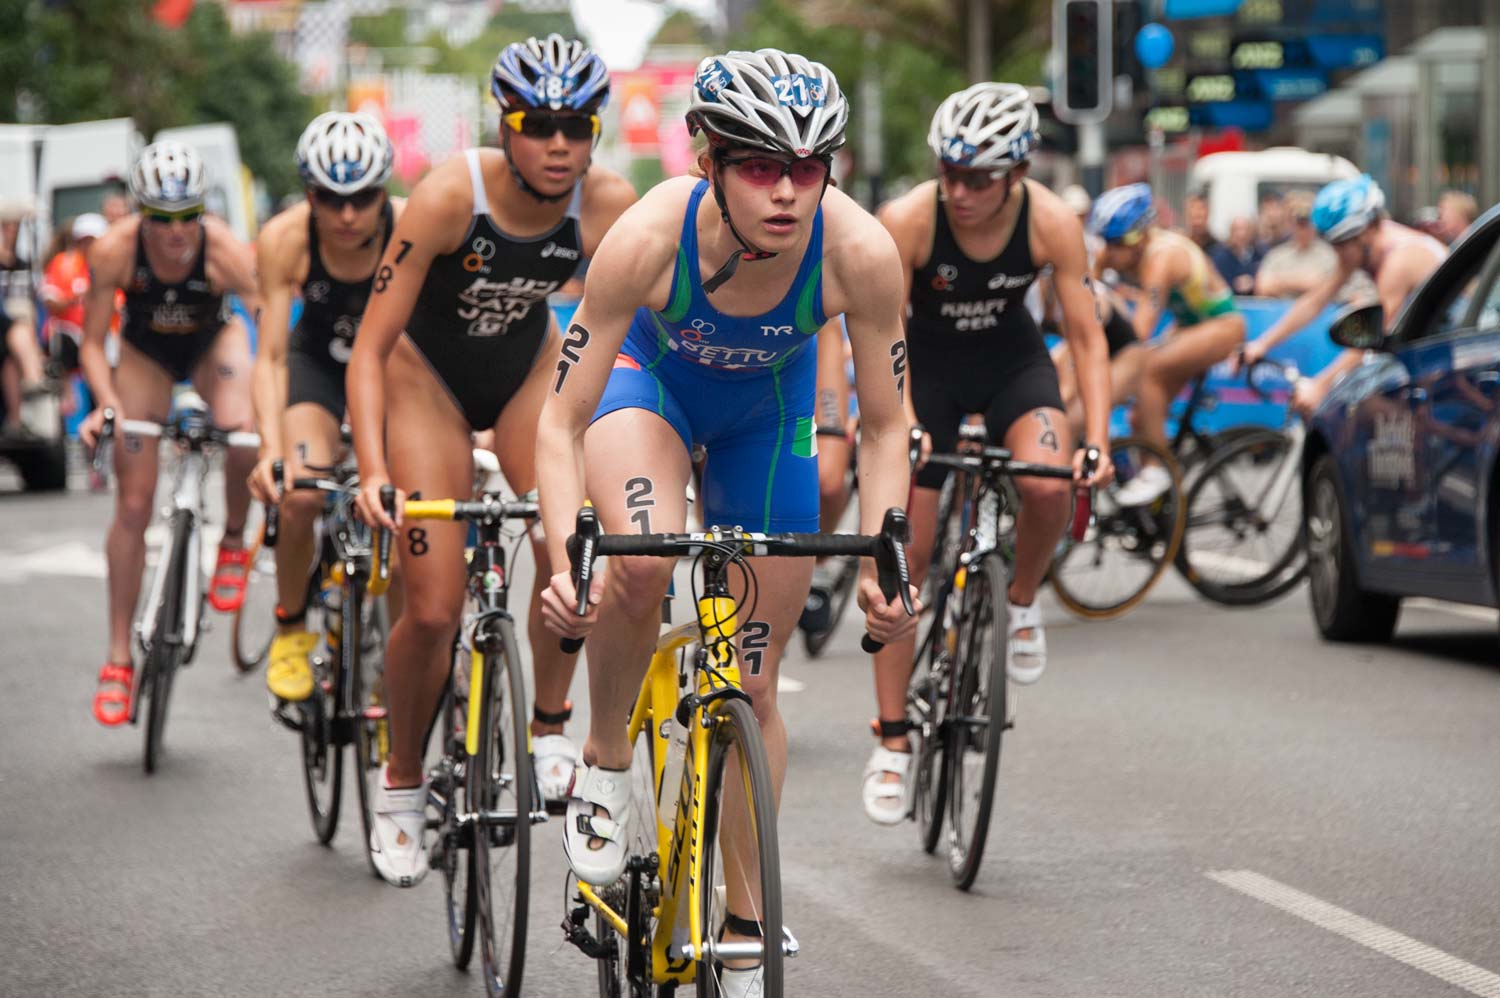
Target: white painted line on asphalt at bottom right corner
(1477,981)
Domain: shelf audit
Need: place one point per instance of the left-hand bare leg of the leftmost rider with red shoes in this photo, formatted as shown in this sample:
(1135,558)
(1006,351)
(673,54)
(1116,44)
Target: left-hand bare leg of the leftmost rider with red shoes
(145,392)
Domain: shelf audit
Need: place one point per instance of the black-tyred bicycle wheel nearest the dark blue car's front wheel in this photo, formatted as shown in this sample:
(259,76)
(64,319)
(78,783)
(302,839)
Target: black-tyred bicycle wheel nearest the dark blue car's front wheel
(1244,523)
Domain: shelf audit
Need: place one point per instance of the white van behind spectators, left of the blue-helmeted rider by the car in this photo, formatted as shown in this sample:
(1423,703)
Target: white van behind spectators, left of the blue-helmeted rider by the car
(1235,184)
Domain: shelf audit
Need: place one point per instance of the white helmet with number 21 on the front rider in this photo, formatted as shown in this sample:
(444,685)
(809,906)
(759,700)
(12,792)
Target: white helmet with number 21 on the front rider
(769,100)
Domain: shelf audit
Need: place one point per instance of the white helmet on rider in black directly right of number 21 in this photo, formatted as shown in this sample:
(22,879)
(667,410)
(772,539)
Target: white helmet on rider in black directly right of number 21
(991,125)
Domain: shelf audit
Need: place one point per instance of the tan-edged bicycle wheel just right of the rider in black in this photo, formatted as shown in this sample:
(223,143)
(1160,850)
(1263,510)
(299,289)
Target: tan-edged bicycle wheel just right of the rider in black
(1129,549)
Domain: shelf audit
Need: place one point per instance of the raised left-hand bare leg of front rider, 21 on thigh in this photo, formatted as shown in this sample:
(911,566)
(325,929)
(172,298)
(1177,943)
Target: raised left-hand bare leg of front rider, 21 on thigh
(637,476)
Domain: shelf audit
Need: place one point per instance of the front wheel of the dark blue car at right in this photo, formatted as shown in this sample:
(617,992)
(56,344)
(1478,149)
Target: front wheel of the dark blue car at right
(1343,612)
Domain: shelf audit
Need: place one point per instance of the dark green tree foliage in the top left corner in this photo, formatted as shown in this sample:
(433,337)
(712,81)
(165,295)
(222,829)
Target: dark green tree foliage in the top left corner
(155,76)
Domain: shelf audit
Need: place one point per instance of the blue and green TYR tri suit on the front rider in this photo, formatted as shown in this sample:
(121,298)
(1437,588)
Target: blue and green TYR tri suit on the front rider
(740,386)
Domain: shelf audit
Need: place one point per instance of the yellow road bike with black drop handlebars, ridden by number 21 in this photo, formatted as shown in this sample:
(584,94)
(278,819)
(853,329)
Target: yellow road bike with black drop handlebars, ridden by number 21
(703,843)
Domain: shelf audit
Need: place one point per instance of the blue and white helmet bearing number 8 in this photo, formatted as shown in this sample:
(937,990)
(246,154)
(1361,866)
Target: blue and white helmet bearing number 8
(554,73)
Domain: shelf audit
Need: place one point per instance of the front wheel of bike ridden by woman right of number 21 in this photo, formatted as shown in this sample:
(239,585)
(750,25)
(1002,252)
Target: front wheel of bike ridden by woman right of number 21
(977,718)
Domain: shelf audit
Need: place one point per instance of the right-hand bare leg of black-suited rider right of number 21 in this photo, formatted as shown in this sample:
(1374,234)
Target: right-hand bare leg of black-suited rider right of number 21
(1040,437)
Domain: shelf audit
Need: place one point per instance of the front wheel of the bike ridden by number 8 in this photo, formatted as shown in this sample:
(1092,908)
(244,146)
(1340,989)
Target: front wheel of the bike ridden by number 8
(502,781)
